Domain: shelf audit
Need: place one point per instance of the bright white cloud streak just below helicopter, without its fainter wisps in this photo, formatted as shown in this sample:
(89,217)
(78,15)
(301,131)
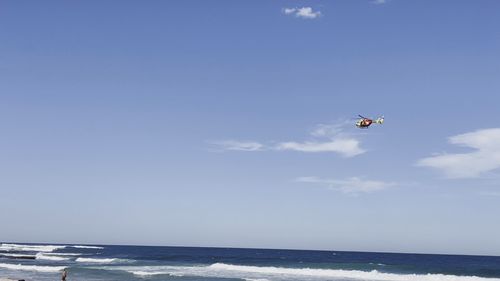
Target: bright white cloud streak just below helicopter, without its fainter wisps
(345,147)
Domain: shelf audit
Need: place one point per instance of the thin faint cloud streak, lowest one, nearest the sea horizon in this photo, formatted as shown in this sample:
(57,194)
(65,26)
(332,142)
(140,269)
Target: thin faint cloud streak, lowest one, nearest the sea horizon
(350,185)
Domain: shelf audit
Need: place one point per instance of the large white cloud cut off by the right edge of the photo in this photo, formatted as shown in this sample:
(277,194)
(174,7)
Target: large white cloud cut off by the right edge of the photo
(484,158)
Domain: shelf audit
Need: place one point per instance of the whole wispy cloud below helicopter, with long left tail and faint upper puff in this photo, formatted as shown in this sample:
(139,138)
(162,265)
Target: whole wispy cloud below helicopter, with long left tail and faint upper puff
(324,138)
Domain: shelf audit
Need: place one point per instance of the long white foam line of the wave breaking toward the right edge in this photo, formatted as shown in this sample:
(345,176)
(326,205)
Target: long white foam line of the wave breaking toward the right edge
(222,270)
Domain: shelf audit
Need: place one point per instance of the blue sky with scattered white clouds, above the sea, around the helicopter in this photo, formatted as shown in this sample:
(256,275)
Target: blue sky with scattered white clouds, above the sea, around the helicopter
(230,124)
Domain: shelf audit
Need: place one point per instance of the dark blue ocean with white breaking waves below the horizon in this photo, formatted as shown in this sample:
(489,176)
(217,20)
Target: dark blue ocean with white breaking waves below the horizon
(103,262)
